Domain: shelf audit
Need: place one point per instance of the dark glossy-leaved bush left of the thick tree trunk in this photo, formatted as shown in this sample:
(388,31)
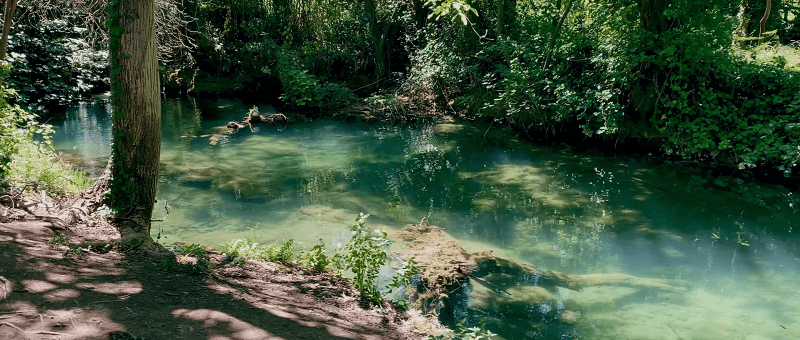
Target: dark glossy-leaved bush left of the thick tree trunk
(53,68)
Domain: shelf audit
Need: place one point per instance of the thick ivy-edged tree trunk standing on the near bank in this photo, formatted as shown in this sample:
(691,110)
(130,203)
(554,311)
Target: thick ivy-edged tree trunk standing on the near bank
(137,118)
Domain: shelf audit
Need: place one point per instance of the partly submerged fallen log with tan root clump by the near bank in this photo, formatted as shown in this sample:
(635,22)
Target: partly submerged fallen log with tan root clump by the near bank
(446,268)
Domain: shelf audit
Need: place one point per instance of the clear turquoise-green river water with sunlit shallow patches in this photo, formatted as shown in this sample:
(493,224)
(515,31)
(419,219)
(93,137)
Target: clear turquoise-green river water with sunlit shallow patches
(736,243)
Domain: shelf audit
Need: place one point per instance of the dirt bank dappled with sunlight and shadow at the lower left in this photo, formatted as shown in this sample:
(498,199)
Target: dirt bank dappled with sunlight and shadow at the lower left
(124,295)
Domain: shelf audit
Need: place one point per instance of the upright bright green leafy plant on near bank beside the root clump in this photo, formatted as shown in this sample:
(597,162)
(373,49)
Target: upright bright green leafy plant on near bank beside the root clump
(365,254)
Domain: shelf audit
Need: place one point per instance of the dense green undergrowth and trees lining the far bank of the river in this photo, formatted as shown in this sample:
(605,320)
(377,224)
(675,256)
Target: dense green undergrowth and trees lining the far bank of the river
(690,81)
